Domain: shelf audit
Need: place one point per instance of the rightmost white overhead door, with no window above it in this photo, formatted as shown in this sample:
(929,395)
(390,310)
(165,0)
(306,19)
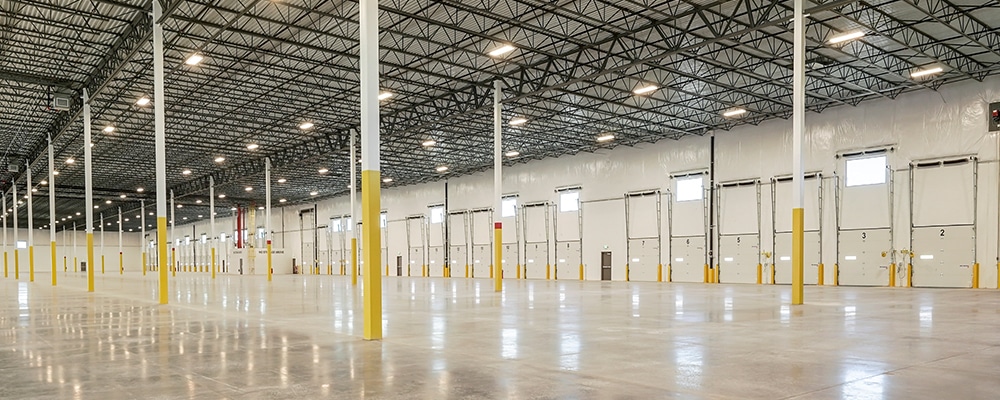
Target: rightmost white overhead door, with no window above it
(943,221)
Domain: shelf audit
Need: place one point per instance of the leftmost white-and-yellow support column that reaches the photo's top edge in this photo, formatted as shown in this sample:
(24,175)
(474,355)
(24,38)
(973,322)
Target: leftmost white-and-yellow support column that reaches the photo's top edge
(160,142)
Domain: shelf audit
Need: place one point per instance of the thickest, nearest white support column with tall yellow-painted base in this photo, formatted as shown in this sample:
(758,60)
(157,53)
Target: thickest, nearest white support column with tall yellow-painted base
(370,174)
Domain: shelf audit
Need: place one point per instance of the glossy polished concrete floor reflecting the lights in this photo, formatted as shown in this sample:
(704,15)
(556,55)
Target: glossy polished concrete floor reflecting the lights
(299,337)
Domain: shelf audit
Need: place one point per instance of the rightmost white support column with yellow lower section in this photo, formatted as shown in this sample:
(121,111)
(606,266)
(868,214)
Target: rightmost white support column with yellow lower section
(798,130)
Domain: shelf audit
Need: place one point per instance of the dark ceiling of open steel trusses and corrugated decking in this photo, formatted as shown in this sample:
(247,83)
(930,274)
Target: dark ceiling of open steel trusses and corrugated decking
(270,65)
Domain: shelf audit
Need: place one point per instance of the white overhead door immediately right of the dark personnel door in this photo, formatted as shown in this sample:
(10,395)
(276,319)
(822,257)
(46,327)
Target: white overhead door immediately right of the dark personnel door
(643,216)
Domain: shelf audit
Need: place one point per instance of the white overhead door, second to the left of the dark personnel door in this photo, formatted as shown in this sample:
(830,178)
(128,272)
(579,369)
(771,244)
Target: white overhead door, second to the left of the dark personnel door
(536,224)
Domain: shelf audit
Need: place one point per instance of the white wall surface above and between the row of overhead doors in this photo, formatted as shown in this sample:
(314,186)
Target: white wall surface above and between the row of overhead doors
(918,126)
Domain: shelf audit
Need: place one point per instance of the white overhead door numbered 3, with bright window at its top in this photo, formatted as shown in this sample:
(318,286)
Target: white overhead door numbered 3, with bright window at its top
(864,233)
